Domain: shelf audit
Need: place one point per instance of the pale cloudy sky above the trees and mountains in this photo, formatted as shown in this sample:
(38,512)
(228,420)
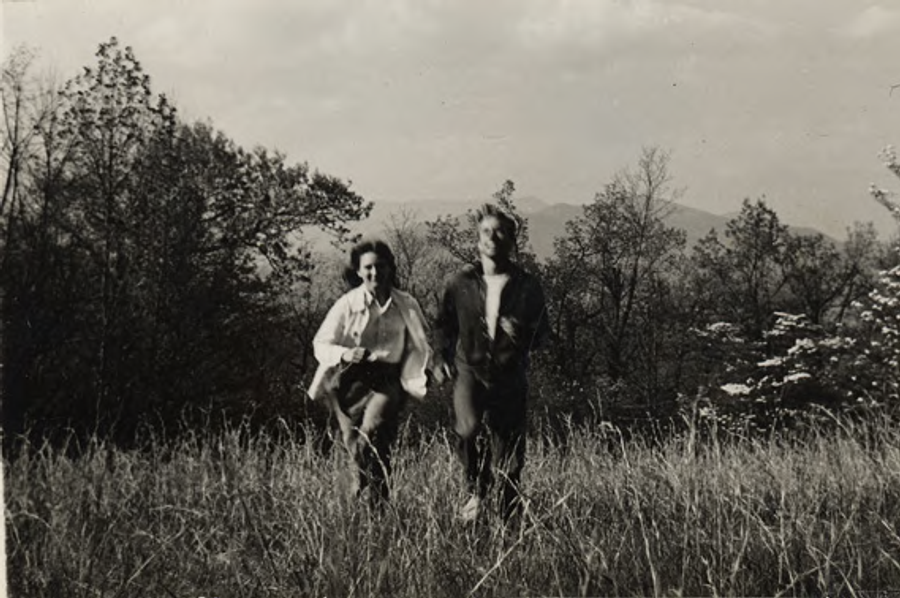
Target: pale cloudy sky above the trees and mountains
(445,99)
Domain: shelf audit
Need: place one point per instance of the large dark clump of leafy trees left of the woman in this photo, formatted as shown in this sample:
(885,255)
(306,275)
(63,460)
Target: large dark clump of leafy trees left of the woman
(153,262)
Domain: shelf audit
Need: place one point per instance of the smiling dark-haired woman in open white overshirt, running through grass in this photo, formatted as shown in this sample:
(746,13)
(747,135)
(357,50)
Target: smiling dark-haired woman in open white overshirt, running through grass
(372,350)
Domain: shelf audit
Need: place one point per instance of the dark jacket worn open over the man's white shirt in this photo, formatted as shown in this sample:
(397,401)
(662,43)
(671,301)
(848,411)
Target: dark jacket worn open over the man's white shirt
(461,332)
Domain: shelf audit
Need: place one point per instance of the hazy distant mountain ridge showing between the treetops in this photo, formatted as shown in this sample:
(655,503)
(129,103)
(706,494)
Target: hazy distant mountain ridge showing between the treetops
(546,221)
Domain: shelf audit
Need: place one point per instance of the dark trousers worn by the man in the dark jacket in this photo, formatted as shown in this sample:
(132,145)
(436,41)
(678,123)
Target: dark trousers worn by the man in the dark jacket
(491,402)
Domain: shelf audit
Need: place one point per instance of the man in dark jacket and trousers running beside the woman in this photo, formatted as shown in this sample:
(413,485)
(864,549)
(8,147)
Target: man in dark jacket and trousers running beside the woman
(491,316)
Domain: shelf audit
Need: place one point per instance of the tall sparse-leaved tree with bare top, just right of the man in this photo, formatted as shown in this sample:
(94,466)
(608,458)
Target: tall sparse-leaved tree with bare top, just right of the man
(610,279)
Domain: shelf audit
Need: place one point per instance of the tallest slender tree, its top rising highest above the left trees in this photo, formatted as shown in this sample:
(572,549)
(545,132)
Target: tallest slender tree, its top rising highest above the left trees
(111,118)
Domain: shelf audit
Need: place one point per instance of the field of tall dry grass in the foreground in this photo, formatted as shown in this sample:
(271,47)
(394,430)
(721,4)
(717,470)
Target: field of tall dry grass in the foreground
(243,515)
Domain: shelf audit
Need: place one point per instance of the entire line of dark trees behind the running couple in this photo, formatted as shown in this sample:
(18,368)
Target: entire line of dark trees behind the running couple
(155,275)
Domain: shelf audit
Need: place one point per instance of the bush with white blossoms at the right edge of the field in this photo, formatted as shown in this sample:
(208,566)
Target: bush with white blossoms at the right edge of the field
(802,364)
